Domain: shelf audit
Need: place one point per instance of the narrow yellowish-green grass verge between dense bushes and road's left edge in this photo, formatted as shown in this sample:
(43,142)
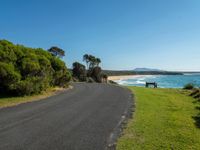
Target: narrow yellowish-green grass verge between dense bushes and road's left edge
(7,101)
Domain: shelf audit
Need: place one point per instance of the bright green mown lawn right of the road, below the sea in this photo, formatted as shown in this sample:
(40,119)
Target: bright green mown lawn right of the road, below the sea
(163,119)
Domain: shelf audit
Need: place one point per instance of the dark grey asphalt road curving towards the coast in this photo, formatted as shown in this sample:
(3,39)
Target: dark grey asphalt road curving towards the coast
(88,117)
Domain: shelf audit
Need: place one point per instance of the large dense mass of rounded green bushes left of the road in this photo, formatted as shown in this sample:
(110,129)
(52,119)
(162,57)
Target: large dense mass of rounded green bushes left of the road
(26,71)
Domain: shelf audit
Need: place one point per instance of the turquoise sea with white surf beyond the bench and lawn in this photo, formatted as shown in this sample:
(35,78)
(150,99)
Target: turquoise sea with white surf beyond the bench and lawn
(164,81)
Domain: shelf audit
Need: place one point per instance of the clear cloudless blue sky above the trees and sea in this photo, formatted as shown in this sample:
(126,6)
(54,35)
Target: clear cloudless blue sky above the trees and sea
(125,34)
